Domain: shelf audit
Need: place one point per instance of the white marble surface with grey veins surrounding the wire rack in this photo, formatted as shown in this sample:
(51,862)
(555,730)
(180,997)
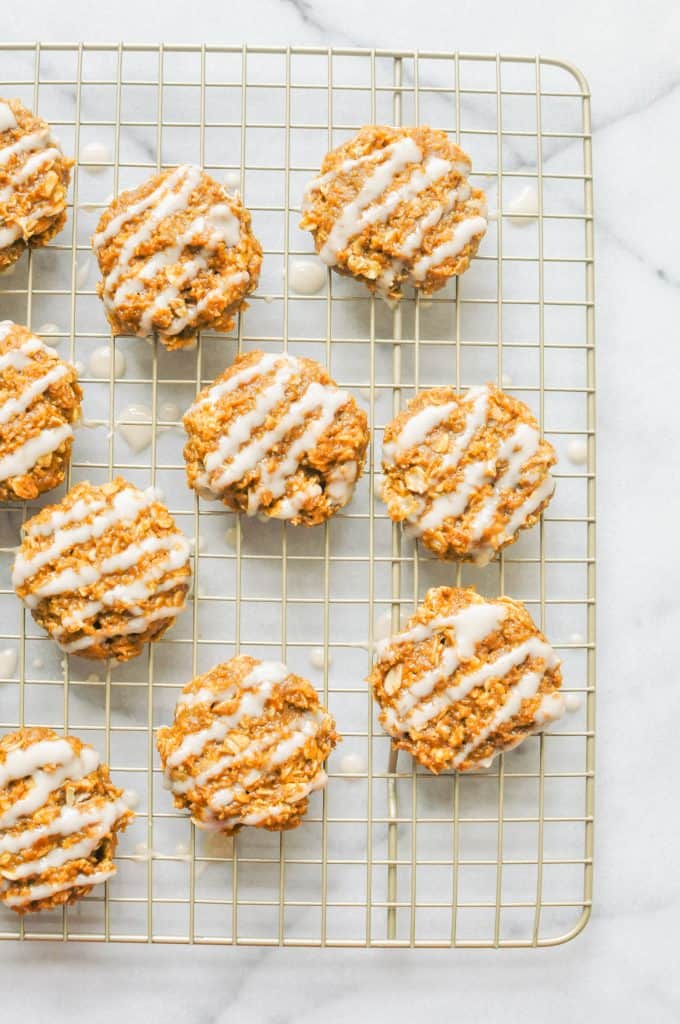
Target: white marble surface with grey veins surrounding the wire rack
(623,966)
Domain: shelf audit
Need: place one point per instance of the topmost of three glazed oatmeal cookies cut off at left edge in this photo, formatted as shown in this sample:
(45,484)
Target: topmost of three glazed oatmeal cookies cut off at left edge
(34,182)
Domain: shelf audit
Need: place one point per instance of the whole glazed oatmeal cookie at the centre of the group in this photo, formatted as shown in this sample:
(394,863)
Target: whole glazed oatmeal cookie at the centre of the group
(276,437)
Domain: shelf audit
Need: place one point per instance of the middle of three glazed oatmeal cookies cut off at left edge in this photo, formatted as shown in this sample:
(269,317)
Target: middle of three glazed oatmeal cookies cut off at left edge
(39,403)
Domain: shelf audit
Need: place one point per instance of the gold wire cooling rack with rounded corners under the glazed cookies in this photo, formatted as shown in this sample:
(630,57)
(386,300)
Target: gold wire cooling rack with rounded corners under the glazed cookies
(389,856)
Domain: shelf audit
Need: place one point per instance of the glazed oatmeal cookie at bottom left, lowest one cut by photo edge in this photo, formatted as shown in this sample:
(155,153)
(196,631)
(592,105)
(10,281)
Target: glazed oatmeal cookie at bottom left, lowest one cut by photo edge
(60,817)
